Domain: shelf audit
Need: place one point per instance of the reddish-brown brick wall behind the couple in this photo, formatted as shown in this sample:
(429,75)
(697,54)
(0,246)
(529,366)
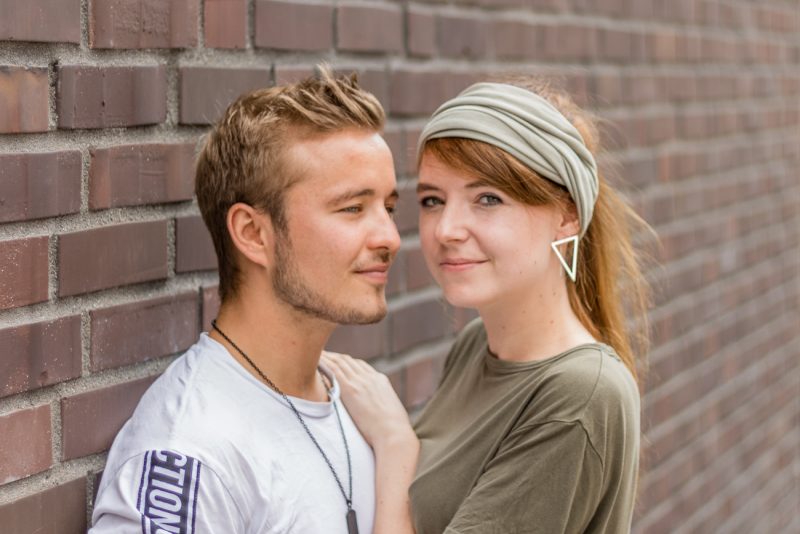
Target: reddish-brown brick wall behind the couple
(106,272)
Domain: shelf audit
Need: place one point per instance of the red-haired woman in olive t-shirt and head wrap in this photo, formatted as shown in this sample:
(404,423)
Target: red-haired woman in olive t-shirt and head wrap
(535,424)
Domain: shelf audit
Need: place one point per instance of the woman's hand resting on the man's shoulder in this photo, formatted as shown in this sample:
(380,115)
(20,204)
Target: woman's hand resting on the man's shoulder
(371,401)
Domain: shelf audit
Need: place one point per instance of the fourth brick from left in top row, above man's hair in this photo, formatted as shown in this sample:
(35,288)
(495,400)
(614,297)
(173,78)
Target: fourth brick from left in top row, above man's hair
(293,26)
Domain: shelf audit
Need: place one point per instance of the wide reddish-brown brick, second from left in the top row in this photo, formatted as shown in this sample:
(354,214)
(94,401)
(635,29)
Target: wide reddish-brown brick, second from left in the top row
(143,23)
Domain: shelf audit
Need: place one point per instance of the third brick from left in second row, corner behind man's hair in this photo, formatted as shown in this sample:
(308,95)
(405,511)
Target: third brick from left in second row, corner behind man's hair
(205,92)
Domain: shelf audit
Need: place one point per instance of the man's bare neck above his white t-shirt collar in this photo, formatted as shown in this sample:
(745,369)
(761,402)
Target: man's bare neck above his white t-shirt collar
(283,343)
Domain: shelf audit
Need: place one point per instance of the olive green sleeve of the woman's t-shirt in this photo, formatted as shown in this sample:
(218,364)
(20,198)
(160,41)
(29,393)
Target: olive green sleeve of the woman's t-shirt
(545,478)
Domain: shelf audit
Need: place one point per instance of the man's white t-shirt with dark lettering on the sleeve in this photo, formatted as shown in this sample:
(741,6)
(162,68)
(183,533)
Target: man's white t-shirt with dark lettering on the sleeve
(210,449)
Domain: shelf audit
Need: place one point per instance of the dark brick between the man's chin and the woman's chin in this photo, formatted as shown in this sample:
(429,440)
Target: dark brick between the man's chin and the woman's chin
(417,324)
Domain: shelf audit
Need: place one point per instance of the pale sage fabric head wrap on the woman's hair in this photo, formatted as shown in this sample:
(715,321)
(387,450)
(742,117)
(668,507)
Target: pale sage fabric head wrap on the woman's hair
(529,128)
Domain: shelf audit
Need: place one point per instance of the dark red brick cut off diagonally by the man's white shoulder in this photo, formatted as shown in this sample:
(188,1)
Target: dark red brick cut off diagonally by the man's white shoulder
(89,421)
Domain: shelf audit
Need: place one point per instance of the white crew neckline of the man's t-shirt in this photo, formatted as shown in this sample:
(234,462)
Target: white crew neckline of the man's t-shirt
(304,406)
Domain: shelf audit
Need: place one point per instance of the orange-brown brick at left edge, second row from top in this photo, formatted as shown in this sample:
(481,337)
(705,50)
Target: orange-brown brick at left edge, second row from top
(24,99)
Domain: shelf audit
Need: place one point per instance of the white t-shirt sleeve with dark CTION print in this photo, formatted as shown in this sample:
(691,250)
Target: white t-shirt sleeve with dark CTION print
(164,491)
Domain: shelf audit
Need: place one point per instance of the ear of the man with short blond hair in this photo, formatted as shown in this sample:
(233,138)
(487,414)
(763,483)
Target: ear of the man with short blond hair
(251,232)
